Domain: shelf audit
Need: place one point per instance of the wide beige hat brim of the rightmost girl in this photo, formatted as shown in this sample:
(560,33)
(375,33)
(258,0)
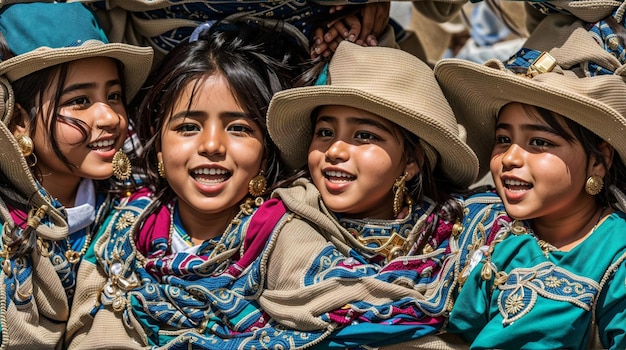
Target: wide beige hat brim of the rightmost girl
(478,92)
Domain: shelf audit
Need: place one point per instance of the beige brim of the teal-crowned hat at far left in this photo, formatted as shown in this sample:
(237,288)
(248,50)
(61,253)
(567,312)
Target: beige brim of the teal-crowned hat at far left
(137,61)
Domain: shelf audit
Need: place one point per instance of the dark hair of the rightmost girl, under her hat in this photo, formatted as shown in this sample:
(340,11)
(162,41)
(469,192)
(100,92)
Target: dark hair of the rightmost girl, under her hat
(616,173)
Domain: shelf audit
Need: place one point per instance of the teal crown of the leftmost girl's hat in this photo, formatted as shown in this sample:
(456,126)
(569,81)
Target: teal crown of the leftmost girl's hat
(27,27)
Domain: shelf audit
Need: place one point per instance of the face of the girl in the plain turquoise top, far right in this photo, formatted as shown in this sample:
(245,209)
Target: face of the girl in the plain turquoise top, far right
(537,173)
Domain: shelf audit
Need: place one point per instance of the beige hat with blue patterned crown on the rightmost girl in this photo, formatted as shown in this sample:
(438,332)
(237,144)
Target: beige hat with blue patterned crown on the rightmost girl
(586,84)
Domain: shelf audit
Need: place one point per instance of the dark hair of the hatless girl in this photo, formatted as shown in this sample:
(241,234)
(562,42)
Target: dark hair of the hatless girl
(257,62)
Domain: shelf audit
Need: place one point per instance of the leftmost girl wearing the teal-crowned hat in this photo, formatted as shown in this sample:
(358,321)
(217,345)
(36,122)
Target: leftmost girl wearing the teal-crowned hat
(70,123)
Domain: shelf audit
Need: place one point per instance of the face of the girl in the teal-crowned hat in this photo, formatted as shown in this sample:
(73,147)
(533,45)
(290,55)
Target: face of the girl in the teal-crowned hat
(92,93)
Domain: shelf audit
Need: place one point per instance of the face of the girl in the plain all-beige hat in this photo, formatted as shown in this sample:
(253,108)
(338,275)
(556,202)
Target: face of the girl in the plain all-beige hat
(354,159)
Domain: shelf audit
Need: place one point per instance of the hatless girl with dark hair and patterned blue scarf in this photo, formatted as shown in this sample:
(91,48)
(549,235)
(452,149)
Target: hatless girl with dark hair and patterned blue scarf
(173,260)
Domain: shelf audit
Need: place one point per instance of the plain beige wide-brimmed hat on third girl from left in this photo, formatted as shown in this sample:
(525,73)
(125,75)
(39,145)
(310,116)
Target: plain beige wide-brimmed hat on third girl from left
(388,82)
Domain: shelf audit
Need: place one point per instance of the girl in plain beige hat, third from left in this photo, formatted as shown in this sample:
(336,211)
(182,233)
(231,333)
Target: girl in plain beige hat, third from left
(365,260)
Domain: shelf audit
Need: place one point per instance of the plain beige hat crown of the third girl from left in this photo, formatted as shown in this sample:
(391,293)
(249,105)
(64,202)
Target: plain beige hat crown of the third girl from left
(405,82)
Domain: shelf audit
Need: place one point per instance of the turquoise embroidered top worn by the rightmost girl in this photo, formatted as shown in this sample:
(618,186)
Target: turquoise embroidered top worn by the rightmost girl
(547,301)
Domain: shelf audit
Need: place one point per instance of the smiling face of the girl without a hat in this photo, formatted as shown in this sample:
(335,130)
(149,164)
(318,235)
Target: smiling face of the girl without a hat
(210,150)
